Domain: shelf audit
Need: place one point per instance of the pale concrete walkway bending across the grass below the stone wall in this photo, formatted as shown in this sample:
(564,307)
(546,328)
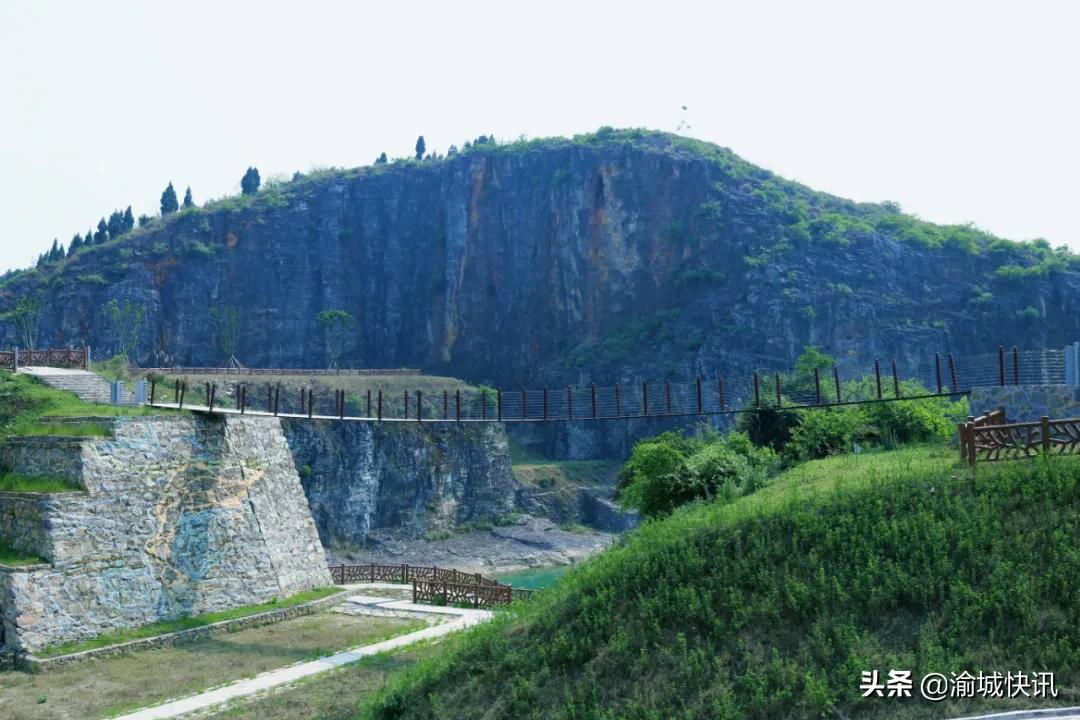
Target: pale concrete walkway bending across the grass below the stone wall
(462,619)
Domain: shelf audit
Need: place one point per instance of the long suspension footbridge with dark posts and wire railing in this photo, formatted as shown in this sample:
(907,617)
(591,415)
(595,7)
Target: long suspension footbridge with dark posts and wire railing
(840,385)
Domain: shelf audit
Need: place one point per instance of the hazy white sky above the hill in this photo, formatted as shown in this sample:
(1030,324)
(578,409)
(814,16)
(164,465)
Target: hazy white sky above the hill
(961,112)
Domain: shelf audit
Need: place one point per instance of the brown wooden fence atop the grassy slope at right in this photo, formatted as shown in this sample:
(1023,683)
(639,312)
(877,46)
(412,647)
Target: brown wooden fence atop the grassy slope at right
(990,439)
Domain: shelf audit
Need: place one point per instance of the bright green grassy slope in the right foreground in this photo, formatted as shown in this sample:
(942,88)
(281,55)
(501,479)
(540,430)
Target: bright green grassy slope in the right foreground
(772,606)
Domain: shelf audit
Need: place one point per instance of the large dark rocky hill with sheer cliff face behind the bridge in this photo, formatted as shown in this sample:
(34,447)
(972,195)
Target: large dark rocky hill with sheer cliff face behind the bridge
(609,255)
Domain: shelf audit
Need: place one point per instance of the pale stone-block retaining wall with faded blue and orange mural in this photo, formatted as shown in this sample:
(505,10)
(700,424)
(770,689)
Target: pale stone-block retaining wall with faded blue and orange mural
(182,517)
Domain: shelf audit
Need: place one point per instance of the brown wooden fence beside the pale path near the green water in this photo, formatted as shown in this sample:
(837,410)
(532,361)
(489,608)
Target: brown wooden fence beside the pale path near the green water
(434,585)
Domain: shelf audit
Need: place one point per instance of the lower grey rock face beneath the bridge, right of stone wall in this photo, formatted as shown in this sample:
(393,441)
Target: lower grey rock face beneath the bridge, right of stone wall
(426,479)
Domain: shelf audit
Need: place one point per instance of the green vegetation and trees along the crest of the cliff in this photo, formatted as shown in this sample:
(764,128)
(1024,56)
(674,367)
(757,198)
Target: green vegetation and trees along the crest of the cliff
(805,216)
